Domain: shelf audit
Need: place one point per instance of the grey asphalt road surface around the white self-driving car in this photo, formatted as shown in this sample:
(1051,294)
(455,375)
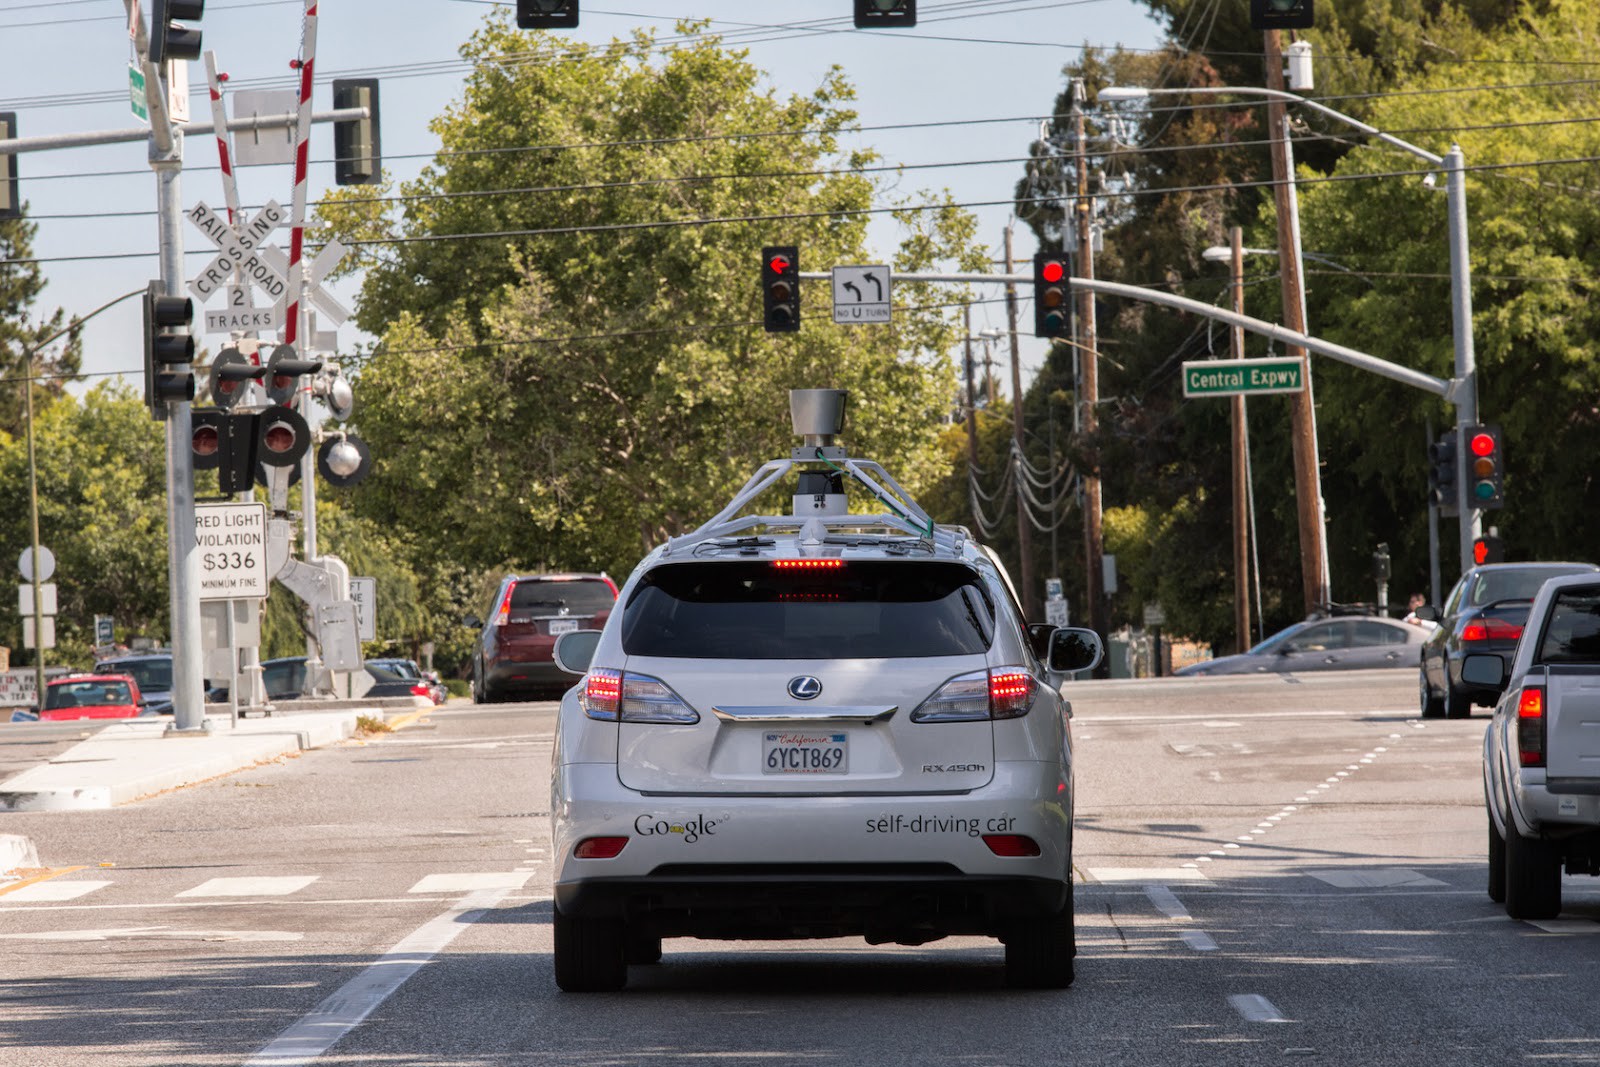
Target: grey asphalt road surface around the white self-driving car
(1270,871)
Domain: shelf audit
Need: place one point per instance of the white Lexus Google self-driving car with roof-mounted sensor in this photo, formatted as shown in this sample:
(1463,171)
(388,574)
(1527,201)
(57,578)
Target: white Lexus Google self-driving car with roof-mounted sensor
(817,725)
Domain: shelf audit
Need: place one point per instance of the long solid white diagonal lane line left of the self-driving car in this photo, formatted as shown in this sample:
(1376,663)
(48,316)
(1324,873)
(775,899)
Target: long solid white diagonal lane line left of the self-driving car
(343,1010)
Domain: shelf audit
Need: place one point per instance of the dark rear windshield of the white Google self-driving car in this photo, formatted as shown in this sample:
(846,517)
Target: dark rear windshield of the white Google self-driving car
(754,610)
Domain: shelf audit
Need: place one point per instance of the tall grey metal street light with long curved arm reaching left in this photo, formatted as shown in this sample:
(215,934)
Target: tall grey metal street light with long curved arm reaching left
(1465,393)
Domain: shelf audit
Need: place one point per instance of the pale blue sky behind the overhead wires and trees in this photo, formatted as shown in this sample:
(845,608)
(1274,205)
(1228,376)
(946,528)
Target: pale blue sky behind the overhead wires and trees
(68,73)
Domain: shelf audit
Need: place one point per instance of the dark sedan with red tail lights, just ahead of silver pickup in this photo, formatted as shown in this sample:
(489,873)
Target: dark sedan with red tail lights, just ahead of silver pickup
(1484,613)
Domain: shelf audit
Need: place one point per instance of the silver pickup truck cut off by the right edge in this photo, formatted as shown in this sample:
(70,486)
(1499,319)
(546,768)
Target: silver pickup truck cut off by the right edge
(1542,753)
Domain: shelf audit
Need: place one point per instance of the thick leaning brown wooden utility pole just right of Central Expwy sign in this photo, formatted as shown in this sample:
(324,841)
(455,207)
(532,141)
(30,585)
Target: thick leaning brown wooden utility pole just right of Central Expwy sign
(1303,417)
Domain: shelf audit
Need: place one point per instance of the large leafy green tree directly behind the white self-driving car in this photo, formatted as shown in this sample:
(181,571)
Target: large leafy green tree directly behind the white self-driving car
(588,374)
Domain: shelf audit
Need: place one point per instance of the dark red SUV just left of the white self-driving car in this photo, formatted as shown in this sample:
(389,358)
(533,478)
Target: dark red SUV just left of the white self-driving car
(513,655)
